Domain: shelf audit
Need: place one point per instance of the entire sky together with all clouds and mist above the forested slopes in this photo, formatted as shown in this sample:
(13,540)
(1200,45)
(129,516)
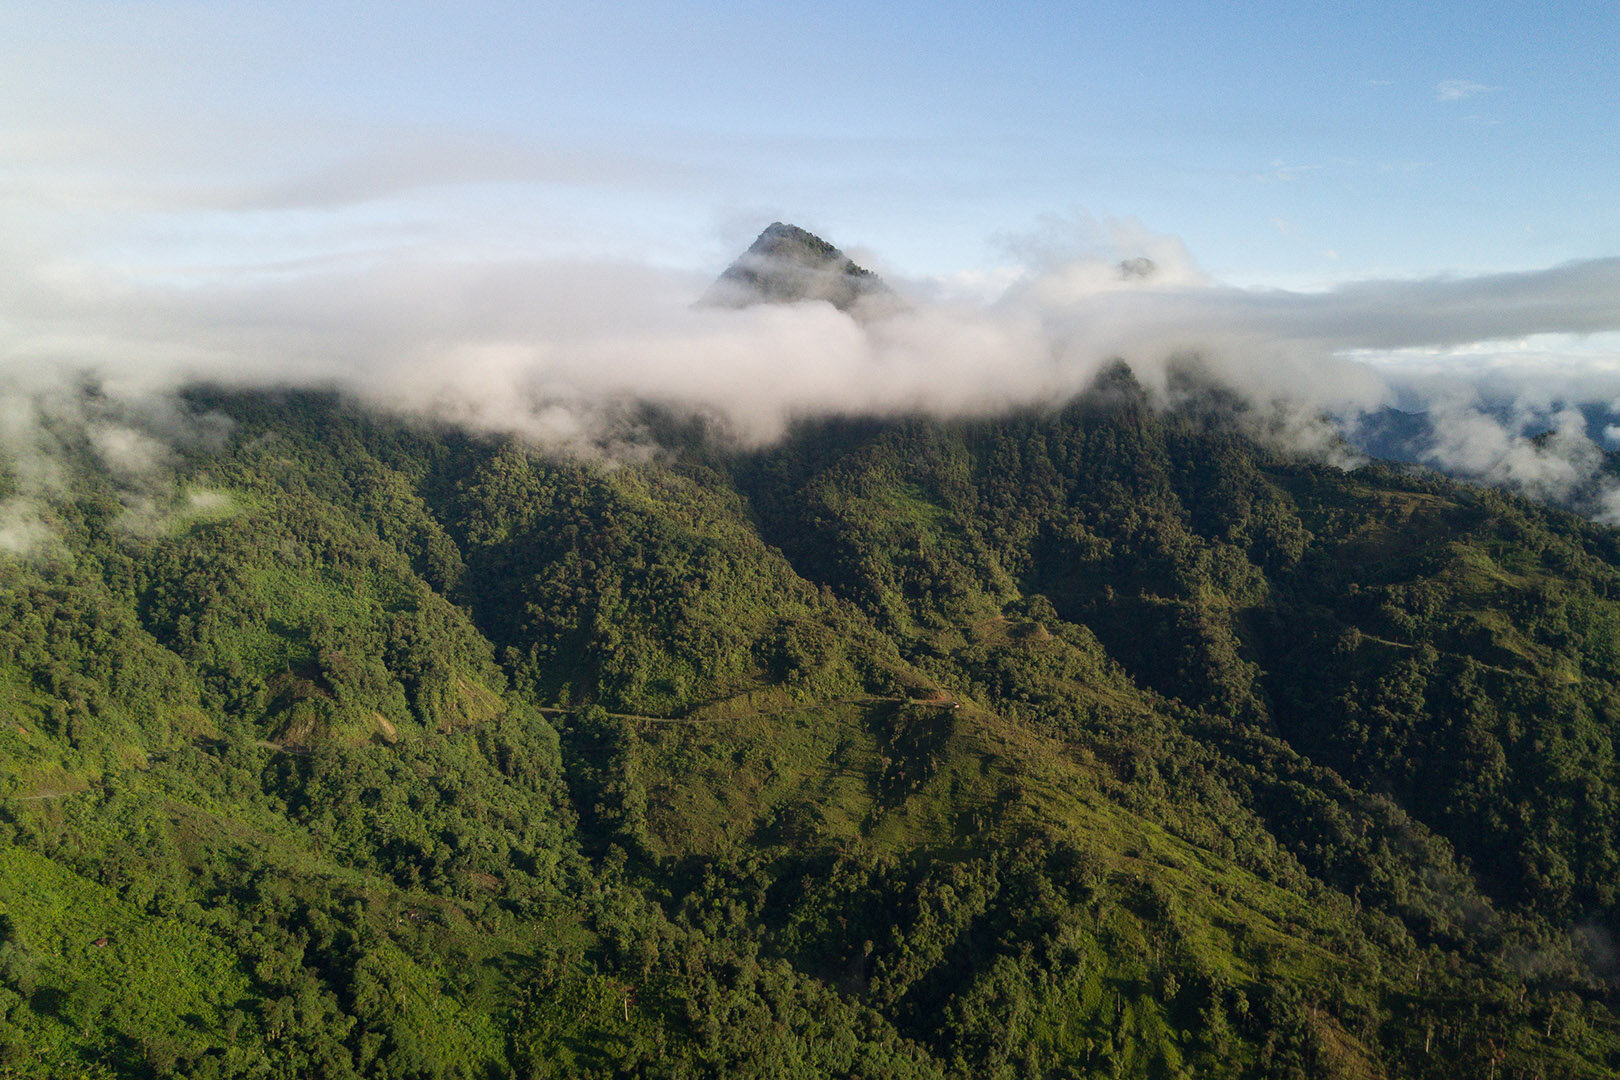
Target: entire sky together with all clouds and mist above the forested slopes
(501,215)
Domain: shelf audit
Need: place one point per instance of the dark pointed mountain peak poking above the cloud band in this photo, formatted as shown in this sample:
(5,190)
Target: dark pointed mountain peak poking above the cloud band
(790,265)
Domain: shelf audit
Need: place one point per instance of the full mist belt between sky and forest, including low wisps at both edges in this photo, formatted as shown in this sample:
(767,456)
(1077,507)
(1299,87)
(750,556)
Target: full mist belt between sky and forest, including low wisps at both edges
(560,352)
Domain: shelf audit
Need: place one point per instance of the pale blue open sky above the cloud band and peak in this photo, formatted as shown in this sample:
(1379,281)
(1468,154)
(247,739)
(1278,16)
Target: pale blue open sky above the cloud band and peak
(1285,145)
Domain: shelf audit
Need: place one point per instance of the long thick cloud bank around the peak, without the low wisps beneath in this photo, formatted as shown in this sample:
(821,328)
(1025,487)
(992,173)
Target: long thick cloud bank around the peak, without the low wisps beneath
(503,344)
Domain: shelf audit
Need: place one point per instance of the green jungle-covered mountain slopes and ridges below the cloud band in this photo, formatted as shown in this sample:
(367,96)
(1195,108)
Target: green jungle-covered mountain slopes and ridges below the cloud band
(1089,742)
